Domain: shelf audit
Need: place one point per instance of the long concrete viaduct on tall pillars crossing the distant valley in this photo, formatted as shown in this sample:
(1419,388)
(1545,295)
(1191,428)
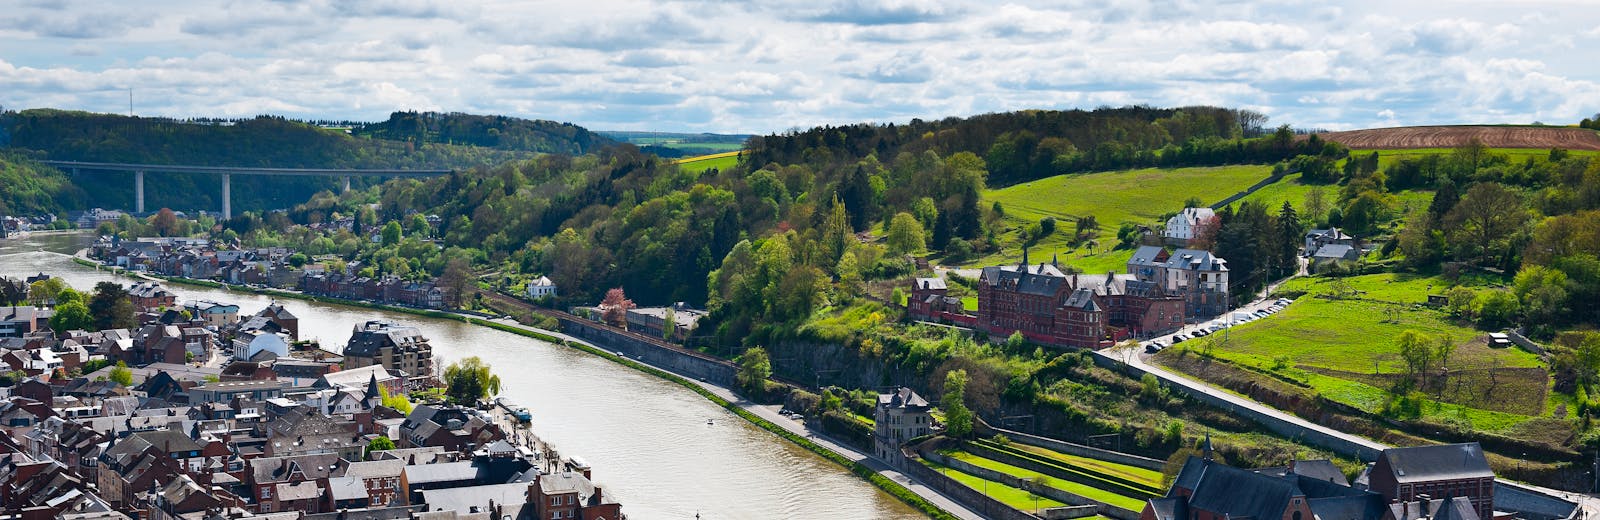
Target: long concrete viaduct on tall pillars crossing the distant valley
(228,177)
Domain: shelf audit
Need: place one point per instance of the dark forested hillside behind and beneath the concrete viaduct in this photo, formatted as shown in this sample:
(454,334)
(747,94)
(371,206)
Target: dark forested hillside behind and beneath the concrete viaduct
(262,142)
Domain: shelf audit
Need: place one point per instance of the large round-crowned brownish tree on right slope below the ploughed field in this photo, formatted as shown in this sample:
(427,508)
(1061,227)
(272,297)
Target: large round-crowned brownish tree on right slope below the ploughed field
(1486,220)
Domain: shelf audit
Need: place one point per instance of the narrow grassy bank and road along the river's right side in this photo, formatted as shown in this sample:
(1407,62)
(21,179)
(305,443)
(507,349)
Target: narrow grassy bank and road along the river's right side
(921,498)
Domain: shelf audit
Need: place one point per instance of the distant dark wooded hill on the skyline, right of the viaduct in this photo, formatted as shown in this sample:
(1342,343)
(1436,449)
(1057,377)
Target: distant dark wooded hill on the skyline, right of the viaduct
(497,132)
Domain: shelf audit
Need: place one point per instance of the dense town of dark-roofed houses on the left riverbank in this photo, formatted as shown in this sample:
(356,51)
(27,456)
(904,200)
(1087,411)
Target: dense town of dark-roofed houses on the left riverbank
(204,412)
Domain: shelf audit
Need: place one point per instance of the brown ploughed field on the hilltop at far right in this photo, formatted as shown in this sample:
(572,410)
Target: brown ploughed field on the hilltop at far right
(1454,137)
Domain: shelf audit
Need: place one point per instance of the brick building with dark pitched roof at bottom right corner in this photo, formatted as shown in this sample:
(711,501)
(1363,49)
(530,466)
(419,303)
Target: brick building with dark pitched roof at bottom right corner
(1439,471)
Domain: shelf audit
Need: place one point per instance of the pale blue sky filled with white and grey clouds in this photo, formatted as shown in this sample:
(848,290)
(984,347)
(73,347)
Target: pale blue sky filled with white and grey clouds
(772,66)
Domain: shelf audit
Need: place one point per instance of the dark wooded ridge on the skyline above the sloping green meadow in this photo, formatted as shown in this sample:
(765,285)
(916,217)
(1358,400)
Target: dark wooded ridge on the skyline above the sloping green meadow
(1030,145)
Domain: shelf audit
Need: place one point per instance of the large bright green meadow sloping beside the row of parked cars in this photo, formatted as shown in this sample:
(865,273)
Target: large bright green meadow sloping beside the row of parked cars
(1346,351)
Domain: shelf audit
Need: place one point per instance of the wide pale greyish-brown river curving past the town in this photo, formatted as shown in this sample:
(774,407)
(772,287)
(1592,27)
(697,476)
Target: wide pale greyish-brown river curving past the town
(647,439)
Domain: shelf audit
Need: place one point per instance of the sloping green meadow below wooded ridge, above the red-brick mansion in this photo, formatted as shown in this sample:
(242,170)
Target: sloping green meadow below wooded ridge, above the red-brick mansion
(1113,198)
